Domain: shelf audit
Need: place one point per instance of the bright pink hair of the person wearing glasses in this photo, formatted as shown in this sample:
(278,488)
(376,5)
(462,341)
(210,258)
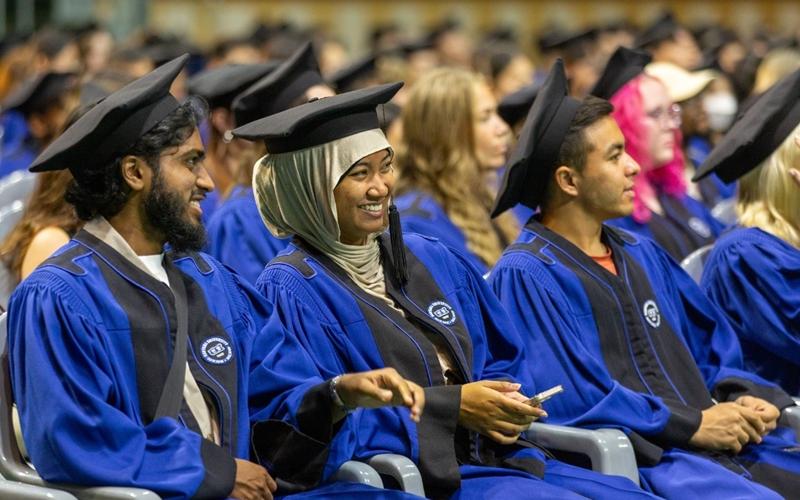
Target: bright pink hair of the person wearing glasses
(668,178)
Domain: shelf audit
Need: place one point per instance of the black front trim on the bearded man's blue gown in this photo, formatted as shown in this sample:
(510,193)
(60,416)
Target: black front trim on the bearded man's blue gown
(149,306)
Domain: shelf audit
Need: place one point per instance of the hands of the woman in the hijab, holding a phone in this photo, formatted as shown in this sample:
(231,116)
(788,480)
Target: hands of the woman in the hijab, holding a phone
(496,410)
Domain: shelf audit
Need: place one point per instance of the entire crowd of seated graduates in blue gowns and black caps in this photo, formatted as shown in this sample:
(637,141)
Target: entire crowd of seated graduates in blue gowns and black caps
(231,284)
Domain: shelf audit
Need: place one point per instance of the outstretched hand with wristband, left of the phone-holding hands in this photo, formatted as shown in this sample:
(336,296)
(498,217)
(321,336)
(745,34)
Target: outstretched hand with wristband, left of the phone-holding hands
(378,388)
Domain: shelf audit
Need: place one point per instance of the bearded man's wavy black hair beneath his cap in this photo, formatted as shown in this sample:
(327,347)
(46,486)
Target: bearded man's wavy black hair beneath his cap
(103,191)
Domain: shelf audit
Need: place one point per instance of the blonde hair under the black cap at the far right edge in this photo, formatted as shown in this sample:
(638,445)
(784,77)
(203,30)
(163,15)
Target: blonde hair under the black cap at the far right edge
(769,197)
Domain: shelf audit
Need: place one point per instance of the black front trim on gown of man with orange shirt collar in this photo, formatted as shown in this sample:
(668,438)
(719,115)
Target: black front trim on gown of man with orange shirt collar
(639,346)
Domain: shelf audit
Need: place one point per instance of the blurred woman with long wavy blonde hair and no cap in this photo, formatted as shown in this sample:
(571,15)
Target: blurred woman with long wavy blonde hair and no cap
(454,142)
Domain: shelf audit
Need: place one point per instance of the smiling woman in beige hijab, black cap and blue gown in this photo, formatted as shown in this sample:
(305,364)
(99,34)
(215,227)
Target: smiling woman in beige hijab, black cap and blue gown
(355,297)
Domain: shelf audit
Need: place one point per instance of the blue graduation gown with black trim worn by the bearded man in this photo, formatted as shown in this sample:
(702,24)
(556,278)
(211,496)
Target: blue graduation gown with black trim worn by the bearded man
(90,347)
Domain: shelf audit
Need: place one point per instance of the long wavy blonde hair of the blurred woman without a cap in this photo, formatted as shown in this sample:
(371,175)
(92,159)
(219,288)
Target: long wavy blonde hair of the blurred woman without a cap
(438,156)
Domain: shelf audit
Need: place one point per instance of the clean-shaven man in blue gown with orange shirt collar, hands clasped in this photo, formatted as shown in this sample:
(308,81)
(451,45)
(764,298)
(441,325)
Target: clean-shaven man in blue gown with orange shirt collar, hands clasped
(614,319)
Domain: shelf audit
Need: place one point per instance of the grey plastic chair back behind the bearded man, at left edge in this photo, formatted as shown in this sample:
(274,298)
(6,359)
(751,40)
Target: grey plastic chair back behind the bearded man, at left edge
(12,466)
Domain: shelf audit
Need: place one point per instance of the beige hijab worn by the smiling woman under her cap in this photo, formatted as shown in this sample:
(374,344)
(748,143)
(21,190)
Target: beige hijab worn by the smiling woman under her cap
(294,194)
